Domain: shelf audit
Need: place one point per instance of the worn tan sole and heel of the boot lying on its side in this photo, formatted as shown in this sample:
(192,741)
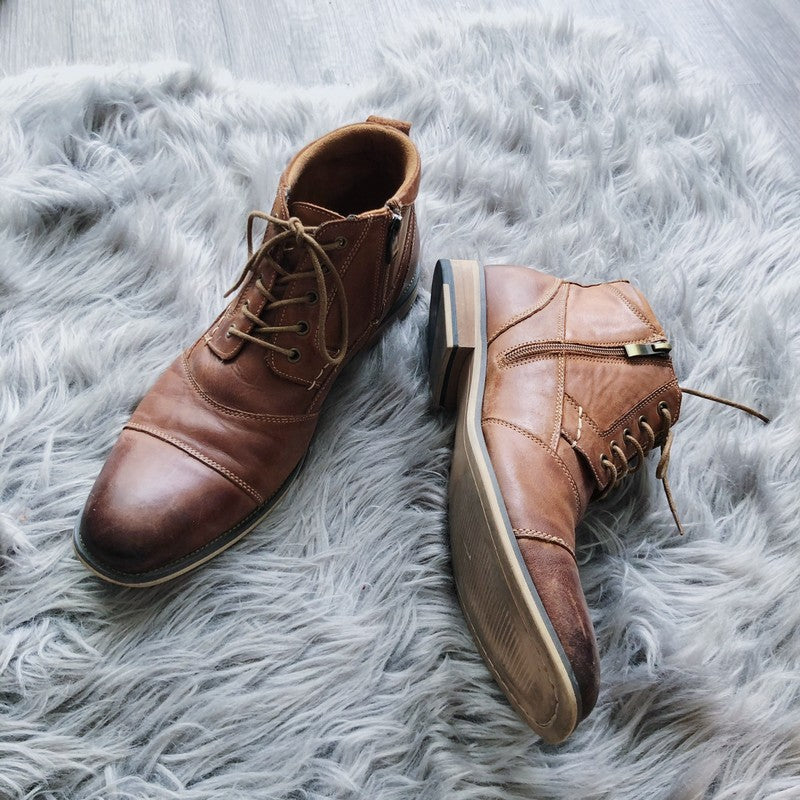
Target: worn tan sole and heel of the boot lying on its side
(501,606)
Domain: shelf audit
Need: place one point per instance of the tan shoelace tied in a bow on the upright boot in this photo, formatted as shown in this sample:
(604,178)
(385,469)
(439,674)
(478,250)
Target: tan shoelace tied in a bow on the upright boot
(303,236)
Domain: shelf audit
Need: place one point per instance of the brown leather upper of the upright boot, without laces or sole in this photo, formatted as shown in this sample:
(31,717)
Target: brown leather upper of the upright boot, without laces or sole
(226,424)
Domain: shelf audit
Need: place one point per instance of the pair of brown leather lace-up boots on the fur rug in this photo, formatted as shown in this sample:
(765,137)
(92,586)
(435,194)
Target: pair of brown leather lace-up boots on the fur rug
(561,391)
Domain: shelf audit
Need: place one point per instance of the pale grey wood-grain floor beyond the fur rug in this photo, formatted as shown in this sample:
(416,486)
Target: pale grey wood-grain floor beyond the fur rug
(754,44)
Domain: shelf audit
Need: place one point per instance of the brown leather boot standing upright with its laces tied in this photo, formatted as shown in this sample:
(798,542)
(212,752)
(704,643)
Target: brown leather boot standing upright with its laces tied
(214,444)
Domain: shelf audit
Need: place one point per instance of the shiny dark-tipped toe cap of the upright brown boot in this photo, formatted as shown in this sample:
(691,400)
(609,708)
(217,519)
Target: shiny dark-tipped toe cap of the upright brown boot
(155,508)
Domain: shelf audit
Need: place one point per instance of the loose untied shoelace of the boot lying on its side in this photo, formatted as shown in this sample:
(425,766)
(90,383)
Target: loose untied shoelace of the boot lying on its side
(625,468)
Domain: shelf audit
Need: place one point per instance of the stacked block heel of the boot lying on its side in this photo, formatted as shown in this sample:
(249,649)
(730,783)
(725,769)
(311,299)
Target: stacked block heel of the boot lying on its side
(453,326)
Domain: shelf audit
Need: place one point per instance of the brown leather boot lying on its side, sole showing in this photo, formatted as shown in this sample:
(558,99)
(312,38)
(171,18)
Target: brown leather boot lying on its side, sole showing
(561,391)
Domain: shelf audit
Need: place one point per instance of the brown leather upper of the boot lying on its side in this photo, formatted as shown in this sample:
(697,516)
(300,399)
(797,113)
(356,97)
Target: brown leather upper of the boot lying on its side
(560,394)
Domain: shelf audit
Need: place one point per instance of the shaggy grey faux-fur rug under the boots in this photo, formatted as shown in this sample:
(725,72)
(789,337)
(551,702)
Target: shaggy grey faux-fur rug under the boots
(325,655)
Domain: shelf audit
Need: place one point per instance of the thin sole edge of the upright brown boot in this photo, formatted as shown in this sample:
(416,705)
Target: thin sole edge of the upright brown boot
(174,570)
